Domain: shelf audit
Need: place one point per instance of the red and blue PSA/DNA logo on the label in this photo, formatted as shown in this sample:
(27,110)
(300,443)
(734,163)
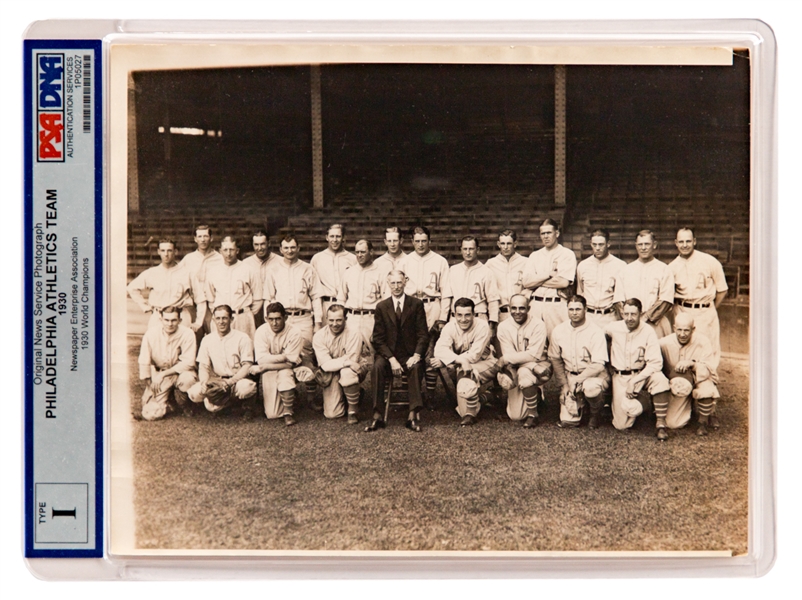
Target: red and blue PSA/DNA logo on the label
(50,107)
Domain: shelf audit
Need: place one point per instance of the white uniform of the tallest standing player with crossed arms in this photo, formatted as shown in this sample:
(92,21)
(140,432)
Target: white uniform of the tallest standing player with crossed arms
(547,303)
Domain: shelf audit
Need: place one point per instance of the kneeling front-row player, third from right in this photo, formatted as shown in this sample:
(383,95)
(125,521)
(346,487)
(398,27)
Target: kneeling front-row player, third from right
(578,354)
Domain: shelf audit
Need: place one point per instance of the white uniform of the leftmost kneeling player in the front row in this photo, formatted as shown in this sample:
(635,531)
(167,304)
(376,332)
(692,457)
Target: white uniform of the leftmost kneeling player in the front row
(161,351)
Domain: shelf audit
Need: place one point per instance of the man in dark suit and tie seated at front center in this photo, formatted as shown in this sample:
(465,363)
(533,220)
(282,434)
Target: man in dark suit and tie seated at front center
(400,339)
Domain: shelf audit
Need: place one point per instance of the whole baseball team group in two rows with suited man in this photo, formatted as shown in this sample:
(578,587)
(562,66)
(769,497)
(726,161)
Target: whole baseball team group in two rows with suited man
(226,331)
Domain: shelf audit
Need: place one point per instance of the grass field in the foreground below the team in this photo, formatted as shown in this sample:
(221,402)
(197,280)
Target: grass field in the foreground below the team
(217,482)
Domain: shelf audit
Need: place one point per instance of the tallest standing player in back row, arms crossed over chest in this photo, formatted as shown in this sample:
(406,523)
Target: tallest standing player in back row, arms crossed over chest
(549,273)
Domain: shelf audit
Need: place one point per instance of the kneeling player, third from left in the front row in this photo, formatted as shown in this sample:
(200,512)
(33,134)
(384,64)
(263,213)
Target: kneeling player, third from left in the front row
(278,355)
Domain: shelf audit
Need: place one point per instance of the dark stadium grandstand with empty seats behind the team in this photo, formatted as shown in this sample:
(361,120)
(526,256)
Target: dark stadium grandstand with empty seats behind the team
(465,148)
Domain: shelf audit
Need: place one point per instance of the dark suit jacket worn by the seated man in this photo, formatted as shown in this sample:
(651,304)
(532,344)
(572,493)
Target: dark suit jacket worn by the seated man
(411,337)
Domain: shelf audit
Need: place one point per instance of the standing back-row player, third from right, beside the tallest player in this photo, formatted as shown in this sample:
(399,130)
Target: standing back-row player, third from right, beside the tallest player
(596,277)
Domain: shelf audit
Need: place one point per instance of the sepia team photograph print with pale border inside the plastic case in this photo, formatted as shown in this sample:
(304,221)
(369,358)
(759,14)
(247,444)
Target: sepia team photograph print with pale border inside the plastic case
(429,305)
